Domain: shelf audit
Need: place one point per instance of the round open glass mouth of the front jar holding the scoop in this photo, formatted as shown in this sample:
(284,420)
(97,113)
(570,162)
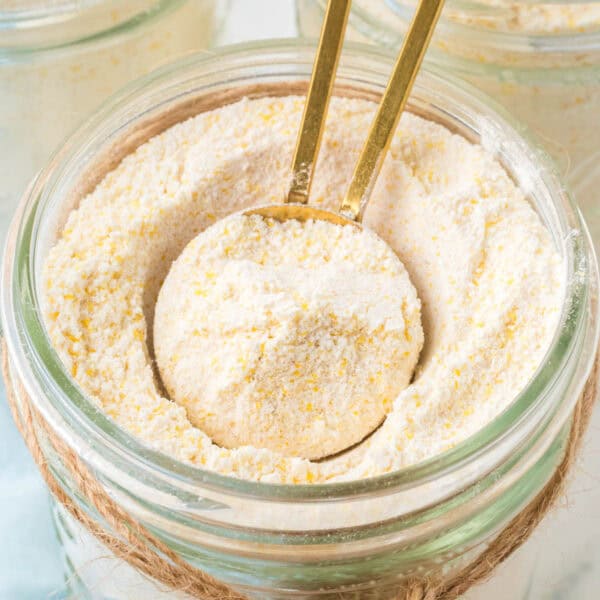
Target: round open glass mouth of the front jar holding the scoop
(71,412)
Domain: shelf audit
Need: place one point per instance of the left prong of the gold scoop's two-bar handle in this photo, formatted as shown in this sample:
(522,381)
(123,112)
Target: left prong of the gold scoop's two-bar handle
(317,100)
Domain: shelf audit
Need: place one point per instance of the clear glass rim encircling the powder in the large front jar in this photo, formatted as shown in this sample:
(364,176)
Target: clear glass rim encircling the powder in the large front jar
(32,352)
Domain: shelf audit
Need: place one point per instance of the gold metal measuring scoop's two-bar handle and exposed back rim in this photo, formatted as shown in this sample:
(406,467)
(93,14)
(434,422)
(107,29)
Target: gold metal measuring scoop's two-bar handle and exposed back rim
(382,129)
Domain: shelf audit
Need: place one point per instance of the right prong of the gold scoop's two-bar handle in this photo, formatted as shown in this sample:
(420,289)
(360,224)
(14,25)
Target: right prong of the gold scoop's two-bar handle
(391,107)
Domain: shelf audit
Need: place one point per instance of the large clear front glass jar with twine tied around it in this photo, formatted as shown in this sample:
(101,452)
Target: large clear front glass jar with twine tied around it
(280,541)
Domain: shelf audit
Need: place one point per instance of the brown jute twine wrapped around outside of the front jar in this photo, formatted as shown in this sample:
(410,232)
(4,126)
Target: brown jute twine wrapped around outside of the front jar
(132,542)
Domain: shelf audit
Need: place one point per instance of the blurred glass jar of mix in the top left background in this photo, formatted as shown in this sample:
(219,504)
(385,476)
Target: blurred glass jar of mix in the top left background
(59,60)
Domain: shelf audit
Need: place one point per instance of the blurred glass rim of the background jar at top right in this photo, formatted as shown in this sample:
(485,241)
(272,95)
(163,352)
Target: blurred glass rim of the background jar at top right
(477,38)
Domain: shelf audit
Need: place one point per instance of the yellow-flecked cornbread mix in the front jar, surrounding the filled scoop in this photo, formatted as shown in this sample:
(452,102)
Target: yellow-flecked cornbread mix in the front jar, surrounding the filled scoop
(484,267)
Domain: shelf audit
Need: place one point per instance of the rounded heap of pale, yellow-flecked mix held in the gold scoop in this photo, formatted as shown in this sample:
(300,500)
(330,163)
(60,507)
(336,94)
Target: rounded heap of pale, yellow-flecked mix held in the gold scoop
(290,336)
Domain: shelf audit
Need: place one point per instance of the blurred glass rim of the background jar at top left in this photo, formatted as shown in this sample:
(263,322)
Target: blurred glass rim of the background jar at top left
(42,27)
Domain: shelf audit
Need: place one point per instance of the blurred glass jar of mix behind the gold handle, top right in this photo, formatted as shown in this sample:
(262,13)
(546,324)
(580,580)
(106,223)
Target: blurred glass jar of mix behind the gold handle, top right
(548,80)
